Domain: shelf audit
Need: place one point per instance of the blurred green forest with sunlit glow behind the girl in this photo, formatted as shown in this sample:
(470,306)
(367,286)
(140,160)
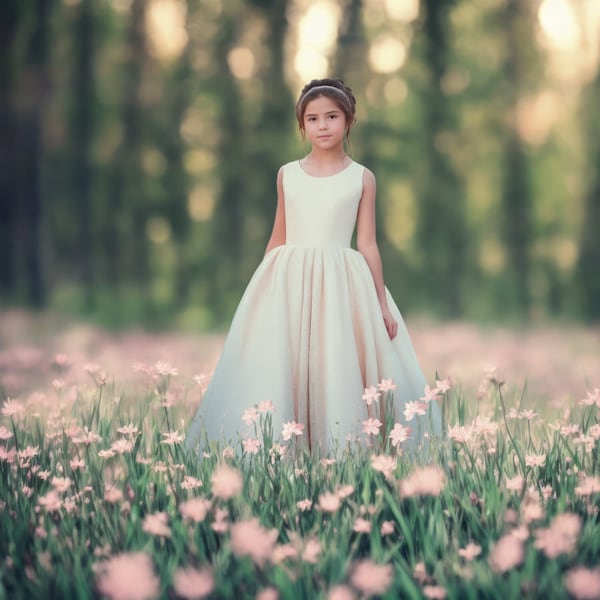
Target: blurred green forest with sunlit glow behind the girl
(140,141)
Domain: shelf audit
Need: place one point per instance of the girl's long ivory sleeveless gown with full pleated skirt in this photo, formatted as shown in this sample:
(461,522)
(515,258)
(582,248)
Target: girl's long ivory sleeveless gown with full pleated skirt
(308,334)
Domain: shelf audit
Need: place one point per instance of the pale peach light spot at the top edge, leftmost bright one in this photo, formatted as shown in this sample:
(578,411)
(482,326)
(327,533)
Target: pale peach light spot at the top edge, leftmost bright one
(165,24)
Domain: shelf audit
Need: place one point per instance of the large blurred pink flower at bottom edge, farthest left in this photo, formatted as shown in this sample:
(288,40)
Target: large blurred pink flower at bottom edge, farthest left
(127,577)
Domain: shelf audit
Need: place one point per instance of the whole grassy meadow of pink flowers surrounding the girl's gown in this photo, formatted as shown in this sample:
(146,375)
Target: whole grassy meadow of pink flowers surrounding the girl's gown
(100,499)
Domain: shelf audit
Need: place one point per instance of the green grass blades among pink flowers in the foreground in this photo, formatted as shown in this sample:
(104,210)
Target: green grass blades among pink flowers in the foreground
(55,553)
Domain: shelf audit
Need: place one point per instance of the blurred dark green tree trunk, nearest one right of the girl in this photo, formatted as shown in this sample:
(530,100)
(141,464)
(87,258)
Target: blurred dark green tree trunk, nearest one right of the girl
(441,226)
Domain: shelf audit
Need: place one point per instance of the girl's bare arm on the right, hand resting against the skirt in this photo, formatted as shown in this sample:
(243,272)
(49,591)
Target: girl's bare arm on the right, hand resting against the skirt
(366,242)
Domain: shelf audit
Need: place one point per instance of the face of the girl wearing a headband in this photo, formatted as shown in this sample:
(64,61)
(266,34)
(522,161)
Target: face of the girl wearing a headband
(324,123)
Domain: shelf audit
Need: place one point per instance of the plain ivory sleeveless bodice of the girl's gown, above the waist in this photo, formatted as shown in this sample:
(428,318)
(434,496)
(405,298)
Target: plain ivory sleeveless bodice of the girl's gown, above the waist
(321,211)
